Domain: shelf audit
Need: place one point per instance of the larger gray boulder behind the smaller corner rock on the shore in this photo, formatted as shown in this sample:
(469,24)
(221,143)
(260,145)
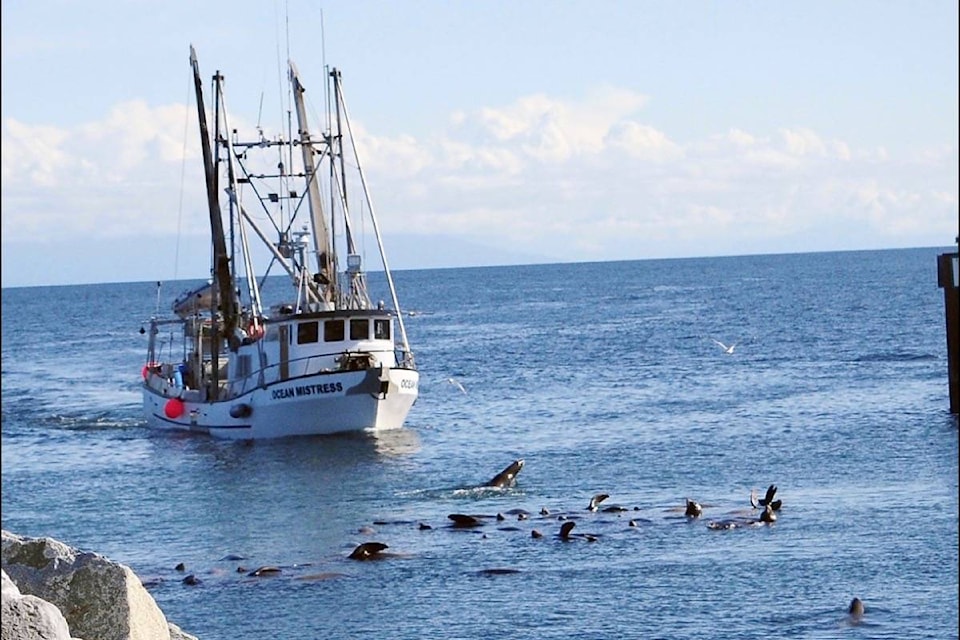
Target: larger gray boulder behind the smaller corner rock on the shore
(99,599)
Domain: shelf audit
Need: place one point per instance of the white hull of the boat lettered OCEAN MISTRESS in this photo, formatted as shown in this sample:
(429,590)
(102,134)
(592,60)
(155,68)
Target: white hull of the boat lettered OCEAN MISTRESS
(319,404)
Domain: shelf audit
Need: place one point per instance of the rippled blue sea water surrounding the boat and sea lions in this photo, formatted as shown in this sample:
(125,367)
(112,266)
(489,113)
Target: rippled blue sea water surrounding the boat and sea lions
(605,378)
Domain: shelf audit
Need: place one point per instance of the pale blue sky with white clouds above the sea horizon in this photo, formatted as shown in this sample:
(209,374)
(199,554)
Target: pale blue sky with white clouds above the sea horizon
(493,131)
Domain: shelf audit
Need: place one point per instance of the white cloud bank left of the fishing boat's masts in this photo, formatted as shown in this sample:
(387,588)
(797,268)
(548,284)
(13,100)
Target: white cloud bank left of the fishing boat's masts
(116,177)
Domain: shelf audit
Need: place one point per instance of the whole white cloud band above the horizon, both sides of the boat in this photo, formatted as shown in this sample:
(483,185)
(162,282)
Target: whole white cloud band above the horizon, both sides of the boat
(569,179)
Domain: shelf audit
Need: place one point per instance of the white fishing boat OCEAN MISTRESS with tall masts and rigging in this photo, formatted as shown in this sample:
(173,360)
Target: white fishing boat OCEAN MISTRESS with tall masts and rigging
(318,357)
